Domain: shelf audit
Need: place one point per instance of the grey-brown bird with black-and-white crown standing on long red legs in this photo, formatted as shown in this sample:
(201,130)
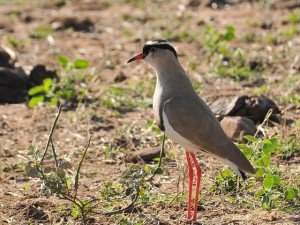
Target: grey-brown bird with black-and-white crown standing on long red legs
(186,119)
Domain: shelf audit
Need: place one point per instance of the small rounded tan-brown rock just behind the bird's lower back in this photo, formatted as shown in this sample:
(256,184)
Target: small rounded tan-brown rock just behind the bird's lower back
(237,127)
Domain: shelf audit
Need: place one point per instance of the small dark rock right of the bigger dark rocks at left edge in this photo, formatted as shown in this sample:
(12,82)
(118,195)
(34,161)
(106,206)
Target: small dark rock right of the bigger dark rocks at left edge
(39,73)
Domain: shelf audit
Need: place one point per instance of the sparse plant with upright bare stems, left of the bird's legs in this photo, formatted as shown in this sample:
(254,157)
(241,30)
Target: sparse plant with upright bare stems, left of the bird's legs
(59,180)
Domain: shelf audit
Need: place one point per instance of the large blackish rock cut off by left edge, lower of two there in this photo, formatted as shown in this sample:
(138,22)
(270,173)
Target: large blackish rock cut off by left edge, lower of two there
(13,85)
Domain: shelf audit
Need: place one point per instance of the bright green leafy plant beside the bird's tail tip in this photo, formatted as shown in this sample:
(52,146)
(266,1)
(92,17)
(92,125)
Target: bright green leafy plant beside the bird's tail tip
(275,191)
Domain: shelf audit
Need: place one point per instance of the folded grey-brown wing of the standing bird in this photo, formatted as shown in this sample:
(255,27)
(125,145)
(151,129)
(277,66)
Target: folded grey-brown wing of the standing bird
(192,119)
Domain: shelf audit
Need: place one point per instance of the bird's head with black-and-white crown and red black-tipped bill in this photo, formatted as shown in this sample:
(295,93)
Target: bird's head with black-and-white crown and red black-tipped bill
(155,52)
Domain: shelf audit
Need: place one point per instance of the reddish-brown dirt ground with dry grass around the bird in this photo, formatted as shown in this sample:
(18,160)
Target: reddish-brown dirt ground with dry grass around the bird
(119,30)
